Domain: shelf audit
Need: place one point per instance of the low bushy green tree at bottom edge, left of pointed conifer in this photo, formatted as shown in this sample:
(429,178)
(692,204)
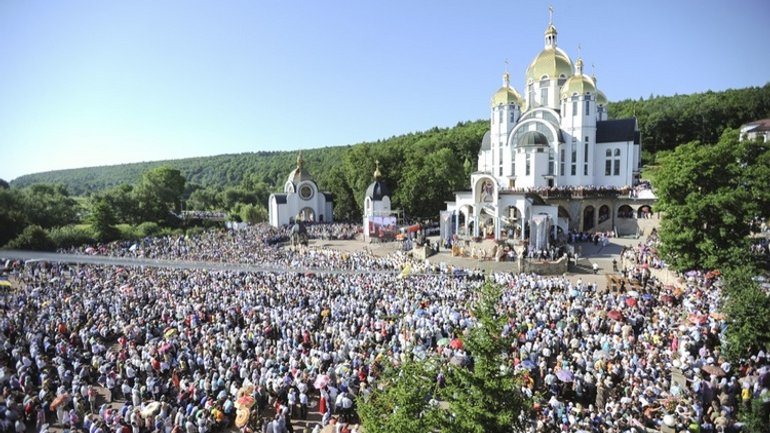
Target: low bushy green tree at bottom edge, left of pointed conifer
(403,403)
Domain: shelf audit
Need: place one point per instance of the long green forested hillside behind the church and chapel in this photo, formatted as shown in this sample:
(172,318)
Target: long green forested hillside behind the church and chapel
(423,168)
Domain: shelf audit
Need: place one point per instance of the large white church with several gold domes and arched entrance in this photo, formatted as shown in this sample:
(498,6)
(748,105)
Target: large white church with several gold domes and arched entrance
(552,160)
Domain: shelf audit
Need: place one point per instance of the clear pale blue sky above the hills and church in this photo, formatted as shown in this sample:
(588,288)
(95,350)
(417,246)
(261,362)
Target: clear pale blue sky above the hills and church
(85,83)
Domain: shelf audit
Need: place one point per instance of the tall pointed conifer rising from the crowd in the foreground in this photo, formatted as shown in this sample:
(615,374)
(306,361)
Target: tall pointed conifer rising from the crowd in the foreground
(485,397)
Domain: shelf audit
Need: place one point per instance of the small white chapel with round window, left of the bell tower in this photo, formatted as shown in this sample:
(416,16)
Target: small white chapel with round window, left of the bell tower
(301,200)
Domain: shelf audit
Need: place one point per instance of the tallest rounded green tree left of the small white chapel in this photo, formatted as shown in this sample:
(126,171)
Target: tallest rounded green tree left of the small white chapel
(159,194)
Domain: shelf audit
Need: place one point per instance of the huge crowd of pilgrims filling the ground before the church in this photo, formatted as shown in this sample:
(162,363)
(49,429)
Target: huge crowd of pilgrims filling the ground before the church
(175,348)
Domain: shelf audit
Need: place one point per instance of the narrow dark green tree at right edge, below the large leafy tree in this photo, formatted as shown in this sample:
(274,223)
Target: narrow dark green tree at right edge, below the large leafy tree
(747,308)
